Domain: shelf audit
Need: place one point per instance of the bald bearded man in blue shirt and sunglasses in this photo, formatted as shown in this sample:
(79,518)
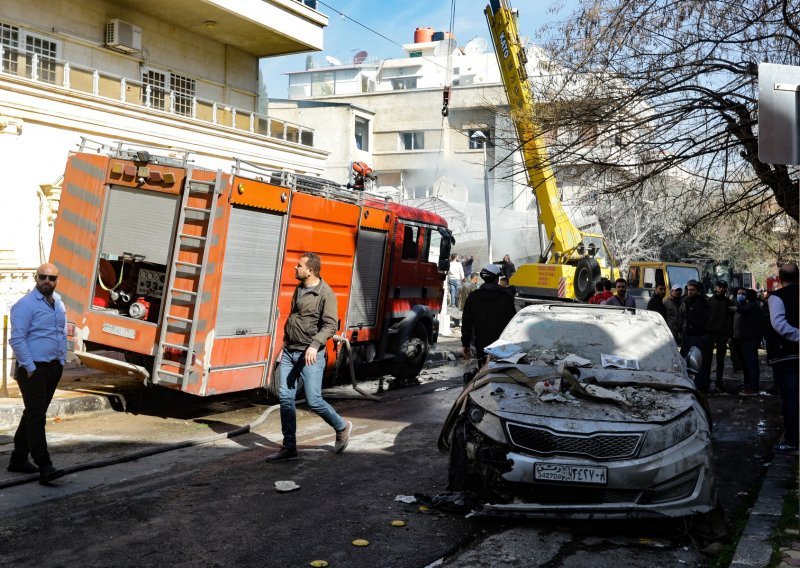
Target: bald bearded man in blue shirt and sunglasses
(39,341)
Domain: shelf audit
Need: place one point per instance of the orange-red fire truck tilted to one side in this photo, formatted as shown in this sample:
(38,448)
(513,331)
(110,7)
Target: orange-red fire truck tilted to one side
(189,272)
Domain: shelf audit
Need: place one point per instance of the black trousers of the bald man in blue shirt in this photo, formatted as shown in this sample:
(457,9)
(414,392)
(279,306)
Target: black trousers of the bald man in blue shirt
(37,392)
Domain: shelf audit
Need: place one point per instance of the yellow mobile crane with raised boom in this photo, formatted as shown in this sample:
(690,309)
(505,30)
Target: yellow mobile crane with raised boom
(573,260)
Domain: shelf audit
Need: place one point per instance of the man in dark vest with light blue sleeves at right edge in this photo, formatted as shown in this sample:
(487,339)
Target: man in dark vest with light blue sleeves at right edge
(782,351)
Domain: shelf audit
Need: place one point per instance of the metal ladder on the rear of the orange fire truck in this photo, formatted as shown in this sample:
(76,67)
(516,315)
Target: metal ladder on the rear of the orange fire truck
(186,242)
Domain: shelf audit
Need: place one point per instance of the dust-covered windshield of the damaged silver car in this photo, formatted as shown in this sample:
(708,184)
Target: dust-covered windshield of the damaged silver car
(607,338)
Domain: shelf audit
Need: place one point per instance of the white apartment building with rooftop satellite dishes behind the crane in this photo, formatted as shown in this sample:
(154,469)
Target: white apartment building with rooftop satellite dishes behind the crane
(389,114)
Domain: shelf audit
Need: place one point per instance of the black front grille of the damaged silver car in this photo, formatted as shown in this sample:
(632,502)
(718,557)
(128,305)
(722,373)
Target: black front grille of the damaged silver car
(595,446)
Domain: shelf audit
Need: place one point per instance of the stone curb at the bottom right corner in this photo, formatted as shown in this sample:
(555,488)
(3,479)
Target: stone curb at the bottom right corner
(754,548)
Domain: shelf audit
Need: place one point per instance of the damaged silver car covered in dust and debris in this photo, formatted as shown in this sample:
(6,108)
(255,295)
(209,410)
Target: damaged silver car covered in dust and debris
(583,412)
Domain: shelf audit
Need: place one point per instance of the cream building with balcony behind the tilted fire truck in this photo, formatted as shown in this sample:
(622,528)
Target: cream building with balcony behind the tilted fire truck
(172,75)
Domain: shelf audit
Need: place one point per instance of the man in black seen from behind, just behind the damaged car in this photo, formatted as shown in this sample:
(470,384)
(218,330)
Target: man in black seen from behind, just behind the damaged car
(487,311)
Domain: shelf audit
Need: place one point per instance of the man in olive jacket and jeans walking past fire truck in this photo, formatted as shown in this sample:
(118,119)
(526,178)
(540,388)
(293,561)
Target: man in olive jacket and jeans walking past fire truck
(311,323)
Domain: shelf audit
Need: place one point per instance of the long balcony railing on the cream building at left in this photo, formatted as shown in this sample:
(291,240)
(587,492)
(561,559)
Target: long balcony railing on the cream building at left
(105,85)
